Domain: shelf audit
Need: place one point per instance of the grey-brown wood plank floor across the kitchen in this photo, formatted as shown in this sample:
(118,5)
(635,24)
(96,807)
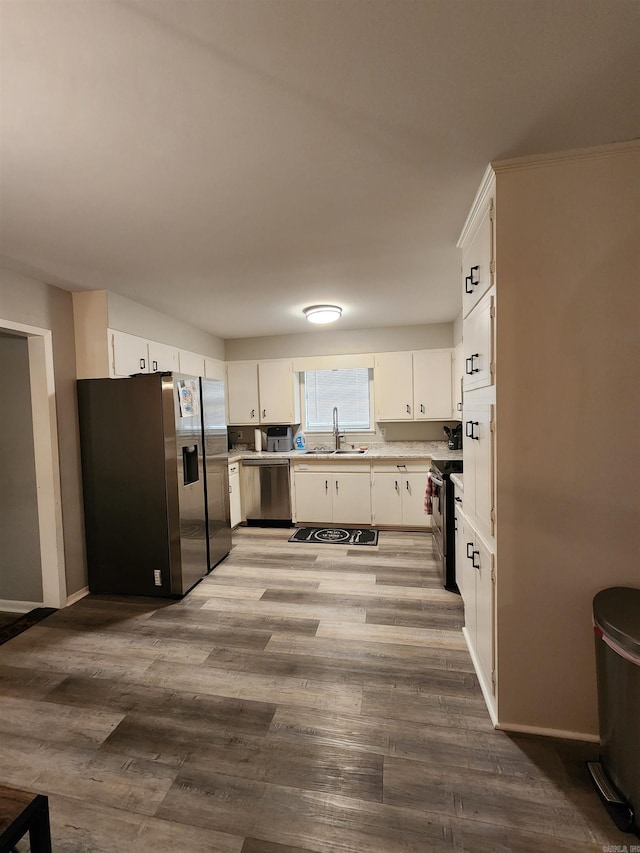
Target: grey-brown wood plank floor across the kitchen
(301,699)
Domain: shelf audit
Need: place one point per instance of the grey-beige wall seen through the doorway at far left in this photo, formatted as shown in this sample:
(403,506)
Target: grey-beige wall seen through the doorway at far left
(20,567)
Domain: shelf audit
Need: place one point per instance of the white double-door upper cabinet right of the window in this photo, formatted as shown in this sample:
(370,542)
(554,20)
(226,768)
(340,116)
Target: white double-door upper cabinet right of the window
(413,386)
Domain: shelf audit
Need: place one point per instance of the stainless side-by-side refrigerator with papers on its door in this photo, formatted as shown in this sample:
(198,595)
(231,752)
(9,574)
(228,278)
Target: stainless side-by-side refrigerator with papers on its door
(155,482)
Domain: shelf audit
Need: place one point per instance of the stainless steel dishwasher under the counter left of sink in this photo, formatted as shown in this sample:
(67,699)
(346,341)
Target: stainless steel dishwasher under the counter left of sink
(266,492)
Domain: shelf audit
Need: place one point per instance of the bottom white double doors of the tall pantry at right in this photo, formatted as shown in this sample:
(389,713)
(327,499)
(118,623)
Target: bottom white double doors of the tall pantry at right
(475,575)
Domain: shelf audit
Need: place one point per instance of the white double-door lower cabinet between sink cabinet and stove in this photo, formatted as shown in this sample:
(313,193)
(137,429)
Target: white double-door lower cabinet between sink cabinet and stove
(397,495)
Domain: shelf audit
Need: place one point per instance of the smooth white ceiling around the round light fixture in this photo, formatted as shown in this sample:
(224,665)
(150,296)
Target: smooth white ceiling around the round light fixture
(231,161)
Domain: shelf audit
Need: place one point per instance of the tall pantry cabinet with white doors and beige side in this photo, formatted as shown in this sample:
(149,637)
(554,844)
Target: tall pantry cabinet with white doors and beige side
(551,315)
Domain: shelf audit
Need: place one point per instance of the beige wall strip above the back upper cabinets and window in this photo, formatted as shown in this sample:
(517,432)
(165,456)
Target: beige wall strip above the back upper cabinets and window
(321,342)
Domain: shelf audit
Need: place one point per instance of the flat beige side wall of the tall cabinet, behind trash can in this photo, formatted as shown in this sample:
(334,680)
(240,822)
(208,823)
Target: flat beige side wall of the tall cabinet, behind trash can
(568,383)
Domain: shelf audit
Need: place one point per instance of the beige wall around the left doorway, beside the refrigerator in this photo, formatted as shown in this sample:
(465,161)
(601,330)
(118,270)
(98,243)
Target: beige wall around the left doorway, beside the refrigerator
(24,300)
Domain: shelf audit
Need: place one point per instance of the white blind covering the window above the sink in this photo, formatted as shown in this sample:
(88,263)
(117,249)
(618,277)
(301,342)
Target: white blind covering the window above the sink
(346,388)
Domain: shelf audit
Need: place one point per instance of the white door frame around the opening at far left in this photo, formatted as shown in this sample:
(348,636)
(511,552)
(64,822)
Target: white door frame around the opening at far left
(47,460)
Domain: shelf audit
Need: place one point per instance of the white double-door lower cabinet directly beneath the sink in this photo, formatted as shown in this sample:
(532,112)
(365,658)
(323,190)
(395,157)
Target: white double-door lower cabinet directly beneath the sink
(334,495)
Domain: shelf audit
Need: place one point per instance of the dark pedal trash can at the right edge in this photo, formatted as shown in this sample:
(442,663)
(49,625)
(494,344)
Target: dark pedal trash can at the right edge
(616,622)
